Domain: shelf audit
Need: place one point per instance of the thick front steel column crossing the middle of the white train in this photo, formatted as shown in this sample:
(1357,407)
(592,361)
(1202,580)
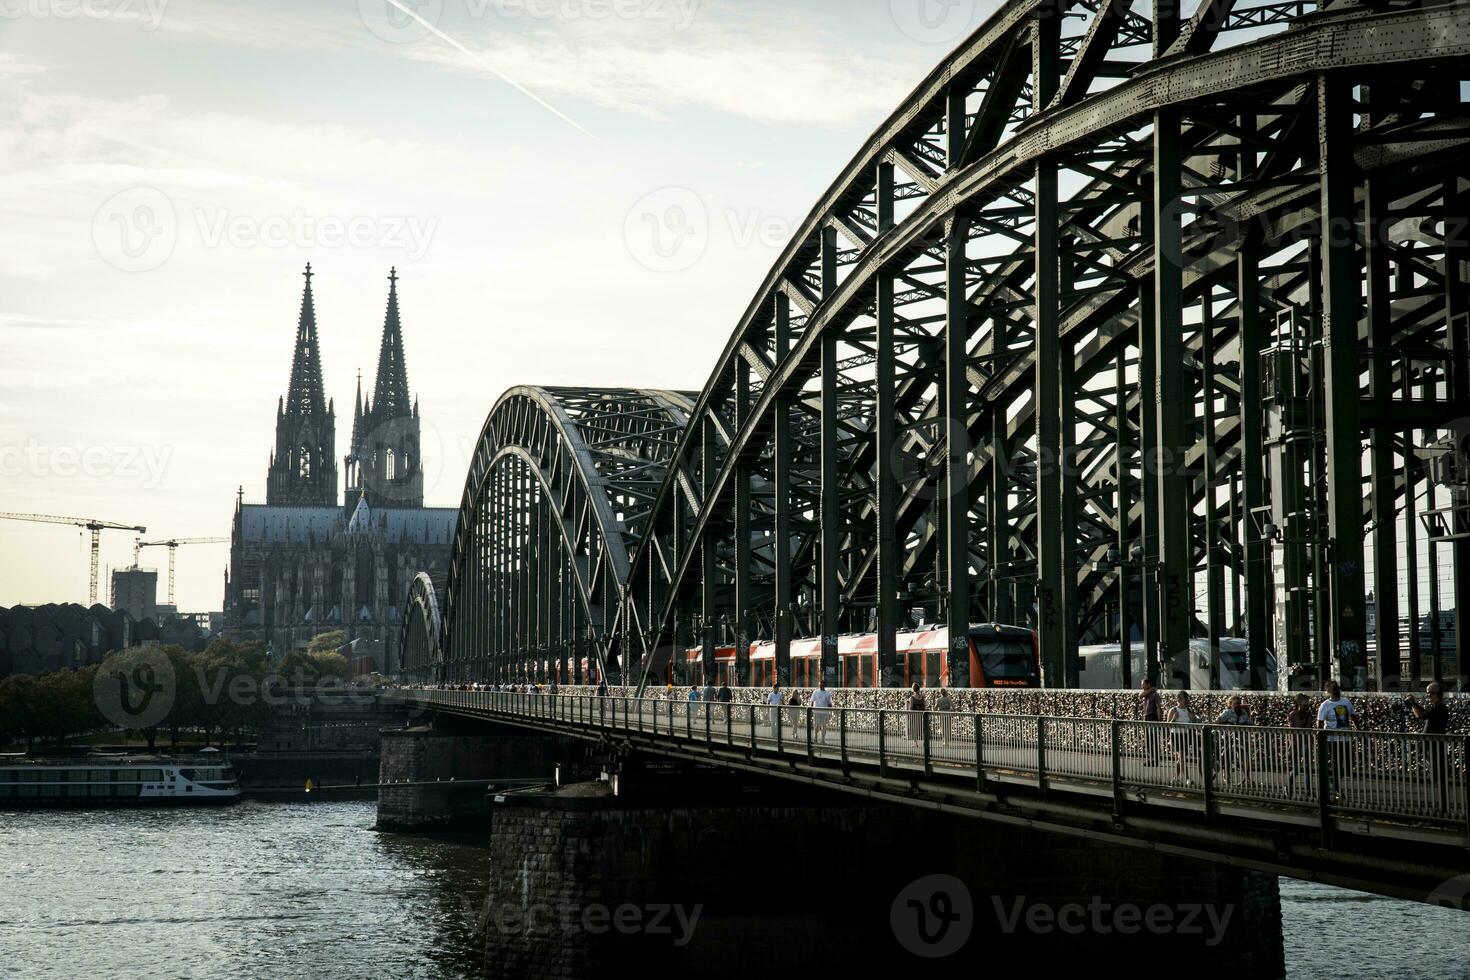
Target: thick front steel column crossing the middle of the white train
(1175,403)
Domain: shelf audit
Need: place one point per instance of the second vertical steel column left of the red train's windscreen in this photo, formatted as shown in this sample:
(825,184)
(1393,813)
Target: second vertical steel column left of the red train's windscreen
(886,384)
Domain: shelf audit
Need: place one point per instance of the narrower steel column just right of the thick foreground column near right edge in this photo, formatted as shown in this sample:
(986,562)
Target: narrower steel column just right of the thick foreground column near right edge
(1385,478)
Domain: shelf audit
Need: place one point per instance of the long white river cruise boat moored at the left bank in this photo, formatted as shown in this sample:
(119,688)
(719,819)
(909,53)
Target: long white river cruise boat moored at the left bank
(117,781)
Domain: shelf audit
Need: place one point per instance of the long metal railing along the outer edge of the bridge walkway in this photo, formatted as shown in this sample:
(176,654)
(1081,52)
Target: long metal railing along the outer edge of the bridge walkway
(1415,779)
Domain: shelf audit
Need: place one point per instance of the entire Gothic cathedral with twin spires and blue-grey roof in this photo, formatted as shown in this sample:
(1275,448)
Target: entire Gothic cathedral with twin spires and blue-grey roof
(306,562)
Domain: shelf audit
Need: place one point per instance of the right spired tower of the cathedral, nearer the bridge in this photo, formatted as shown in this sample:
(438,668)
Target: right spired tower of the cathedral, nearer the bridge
(384,465)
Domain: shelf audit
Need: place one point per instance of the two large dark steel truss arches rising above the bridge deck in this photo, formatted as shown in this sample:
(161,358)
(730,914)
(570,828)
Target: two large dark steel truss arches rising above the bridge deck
(1130,321)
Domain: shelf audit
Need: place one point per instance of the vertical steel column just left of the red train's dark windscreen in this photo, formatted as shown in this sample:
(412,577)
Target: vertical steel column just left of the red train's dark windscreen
(958,446)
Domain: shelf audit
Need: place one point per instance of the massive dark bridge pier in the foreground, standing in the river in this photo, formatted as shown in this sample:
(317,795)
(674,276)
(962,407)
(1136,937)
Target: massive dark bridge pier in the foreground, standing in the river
(718,875)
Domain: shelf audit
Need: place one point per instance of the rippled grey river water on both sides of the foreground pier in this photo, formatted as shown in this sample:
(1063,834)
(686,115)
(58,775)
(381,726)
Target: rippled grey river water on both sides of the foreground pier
(311,891)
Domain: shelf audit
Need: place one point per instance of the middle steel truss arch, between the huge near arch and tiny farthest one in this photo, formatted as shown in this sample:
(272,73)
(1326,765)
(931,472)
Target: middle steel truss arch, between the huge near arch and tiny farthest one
(559,493)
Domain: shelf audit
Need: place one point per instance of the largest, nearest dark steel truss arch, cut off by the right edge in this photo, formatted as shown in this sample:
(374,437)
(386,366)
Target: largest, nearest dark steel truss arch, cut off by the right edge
(984,283)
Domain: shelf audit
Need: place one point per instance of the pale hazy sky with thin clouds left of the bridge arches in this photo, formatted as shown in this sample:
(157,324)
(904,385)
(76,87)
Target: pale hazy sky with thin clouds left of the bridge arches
(168,167)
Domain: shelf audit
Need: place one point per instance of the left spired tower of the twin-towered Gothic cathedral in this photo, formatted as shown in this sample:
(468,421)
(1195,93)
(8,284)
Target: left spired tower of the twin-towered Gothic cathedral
(304,468)
